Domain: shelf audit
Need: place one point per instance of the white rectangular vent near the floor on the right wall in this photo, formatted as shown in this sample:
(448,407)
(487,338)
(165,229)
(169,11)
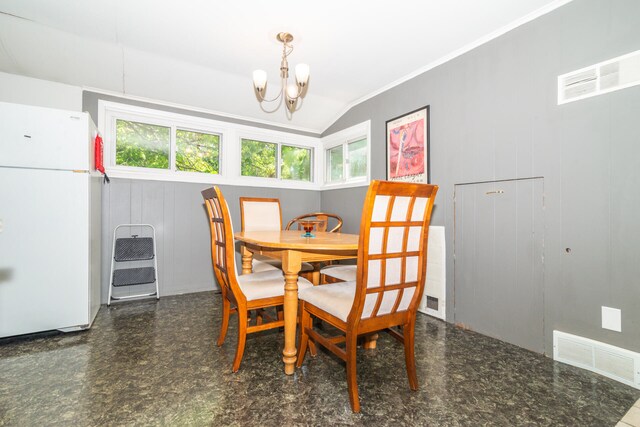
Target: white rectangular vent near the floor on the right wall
(613,362)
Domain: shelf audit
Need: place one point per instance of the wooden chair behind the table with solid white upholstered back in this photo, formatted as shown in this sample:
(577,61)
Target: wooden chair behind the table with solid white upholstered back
(263,214)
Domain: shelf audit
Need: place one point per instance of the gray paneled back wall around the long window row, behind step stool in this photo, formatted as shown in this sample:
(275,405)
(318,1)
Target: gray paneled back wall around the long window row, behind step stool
(177,212)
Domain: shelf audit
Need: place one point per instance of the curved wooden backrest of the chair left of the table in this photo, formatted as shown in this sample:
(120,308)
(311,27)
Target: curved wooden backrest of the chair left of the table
(222,244)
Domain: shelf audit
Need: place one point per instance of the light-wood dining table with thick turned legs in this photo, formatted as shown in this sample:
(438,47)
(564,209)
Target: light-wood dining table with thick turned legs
(293,249)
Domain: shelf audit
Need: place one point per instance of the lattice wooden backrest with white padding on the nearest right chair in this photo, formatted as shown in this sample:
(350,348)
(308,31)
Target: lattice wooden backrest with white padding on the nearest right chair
(392,253)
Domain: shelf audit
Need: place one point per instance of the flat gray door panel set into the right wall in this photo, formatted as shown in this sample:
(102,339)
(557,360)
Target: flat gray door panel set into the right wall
(498,282)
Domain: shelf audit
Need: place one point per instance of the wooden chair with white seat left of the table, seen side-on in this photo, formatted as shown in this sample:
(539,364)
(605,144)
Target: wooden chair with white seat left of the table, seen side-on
(240,293)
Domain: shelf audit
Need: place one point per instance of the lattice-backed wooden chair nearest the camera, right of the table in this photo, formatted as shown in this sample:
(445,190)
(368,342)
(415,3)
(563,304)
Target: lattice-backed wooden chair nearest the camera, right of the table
(390,279)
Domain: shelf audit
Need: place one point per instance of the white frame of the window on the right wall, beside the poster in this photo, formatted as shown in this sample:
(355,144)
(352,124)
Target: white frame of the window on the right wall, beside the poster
(344,138)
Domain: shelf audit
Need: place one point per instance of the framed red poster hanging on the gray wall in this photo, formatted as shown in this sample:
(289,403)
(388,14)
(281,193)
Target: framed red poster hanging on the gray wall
(408,147)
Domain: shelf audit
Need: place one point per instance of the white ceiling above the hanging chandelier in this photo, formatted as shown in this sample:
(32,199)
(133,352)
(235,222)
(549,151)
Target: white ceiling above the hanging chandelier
(201,53)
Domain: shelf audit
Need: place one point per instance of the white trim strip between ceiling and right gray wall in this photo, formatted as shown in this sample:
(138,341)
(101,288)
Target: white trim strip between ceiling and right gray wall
(446,58)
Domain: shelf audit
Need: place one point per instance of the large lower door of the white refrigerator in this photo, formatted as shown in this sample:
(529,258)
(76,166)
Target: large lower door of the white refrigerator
(43,250)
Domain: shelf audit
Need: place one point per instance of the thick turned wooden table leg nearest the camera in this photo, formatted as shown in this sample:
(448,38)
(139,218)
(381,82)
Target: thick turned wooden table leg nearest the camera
(291,266)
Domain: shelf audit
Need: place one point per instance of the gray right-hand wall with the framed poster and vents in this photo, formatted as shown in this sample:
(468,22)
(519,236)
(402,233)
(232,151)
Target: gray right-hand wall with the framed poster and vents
(494,115)
